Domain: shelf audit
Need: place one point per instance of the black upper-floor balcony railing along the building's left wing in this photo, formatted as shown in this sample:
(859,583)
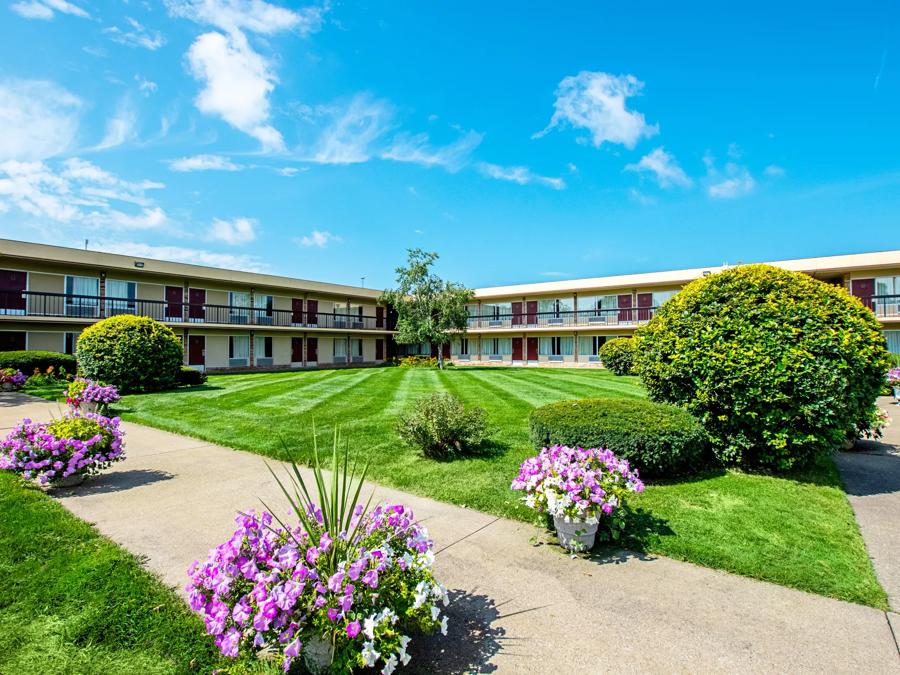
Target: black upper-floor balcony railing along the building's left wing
(64,305)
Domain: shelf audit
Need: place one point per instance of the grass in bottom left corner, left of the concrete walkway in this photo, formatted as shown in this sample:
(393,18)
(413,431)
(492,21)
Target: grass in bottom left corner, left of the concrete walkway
(71,601)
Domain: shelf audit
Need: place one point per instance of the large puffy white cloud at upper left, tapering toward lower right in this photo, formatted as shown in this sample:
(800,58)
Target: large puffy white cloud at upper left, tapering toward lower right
(237,83)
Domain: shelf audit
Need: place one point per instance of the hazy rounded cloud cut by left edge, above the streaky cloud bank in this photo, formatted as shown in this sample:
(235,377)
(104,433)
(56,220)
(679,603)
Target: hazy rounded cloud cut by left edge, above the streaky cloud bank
(38,119)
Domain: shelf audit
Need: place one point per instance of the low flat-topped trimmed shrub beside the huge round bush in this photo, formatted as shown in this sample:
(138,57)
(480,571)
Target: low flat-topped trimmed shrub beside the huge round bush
(659,439)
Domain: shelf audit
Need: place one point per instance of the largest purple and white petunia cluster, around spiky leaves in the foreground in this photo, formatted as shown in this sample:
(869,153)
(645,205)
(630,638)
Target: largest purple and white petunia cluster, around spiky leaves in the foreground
(302,593)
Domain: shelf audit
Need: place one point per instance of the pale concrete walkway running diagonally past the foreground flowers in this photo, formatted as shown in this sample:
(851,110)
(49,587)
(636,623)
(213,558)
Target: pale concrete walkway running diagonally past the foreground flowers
(517,607)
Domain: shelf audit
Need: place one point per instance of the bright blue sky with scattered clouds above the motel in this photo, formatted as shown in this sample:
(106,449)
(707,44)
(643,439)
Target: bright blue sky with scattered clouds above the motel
(523,142)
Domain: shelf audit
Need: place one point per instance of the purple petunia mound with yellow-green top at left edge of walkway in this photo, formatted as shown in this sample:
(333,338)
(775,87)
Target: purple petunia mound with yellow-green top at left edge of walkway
(68,446)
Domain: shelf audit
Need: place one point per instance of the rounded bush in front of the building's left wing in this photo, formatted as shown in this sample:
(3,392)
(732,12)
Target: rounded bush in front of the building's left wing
(132,352)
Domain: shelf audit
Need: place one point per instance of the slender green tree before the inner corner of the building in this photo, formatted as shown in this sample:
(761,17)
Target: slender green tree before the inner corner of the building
(429,309)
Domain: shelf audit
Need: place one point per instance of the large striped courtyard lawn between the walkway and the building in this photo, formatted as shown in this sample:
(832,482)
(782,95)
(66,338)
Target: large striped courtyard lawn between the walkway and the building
(798,531)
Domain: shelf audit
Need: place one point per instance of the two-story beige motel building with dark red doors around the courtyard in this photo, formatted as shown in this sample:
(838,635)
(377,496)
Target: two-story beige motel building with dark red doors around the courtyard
(231,320)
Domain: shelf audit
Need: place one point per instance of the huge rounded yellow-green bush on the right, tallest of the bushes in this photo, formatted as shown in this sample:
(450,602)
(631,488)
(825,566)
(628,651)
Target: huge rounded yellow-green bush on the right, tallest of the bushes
(780,368)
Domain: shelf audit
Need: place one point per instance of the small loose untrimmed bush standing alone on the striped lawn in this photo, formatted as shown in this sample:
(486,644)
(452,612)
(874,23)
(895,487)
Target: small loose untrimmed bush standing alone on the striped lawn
(442,427)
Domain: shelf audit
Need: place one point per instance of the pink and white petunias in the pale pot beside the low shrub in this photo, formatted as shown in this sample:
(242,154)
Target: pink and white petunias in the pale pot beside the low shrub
(576,484)
